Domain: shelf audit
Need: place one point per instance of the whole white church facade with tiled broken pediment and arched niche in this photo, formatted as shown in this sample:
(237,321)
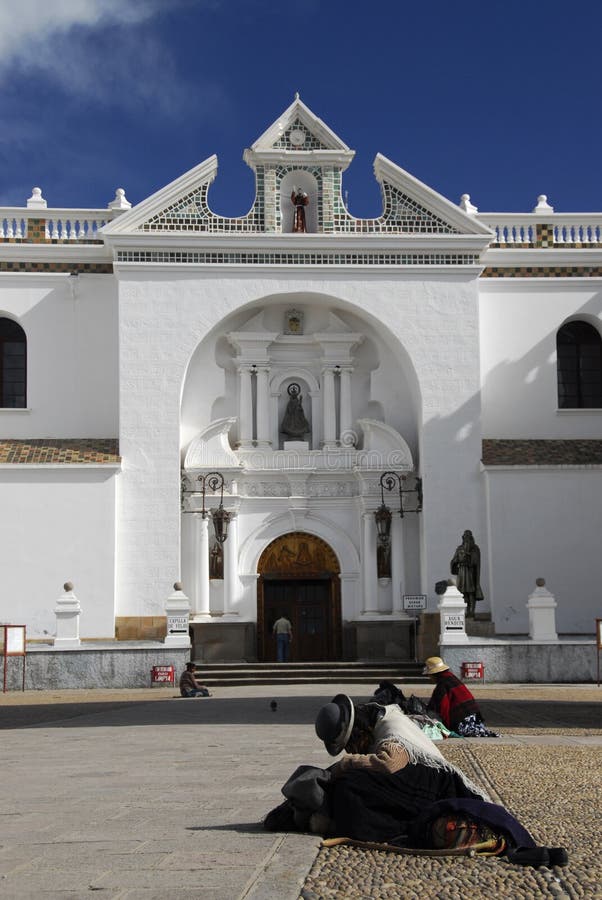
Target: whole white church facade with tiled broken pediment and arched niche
(299,353)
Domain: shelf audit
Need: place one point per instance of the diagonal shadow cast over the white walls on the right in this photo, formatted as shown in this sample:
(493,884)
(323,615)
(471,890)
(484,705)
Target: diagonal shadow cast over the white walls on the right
(539,522)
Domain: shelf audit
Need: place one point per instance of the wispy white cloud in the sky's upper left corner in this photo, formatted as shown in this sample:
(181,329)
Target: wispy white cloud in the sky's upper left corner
(104,51)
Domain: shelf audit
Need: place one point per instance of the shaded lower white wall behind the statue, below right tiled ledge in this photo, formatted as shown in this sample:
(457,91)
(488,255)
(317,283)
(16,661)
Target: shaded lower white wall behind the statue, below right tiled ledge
(546,523)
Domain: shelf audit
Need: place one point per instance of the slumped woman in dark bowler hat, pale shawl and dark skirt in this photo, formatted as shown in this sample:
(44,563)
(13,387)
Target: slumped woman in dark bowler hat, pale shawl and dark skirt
(393,785)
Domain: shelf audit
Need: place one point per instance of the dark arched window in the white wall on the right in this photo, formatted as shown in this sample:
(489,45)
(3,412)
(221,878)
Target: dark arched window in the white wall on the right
(579,353)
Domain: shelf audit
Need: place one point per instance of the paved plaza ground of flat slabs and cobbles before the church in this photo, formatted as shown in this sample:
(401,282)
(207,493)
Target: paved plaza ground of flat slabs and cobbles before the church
(137,794)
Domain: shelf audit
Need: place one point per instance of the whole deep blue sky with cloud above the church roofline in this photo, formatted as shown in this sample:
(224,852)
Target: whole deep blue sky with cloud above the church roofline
(500,101)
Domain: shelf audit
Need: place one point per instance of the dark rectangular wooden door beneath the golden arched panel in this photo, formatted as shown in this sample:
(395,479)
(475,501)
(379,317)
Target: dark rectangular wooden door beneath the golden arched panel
(307,604)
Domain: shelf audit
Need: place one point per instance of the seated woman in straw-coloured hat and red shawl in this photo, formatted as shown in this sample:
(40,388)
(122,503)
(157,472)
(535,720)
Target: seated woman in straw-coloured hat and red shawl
(452,701)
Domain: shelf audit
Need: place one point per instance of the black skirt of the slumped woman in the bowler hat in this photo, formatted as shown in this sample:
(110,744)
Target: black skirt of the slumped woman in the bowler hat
(373,806)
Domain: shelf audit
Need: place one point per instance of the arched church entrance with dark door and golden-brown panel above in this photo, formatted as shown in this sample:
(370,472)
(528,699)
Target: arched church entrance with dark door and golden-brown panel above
(299,577)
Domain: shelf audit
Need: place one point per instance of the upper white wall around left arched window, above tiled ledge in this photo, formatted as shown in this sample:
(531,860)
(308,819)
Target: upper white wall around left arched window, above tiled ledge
(72,355)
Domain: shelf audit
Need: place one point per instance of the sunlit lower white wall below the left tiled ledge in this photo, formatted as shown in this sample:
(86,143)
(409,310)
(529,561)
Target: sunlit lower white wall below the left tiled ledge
(57,525)
